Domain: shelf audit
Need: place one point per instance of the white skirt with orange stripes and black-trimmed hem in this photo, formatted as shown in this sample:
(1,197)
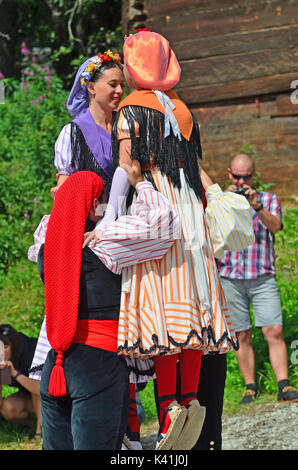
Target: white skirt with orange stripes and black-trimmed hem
(178,301)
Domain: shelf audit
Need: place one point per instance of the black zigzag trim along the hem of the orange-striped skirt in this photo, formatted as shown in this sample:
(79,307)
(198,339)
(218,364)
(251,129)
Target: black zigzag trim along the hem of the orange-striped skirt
(165,349)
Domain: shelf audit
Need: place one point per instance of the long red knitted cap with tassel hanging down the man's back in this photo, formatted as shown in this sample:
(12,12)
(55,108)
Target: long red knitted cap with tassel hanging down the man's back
(62,265)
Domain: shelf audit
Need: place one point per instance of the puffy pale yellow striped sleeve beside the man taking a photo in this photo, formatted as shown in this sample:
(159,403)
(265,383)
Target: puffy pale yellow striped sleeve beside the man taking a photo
(229,217)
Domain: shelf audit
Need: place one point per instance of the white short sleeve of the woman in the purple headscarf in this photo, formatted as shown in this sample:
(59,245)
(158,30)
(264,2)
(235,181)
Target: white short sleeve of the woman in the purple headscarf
(63,155)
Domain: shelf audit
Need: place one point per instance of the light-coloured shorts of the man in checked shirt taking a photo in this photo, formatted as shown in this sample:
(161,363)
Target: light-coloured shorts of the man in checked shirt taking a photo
(262,293)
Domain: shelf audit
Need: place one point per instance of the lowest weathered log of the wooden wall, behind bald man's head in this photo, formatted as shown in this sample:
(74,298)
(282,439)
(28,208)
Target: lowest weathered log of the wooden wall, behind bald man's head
(225,128)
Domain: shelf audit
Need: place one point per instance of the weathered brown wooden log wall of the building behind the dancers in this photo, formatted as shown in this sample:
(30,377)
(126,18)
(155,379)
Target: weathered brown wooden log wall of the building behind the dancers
(239,61)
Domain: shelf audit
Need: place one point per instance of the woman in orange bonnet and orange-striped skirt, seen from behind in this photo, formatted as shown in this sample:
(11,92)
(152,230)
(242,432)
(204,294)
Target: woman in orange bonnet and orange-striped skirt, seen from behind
(172,309)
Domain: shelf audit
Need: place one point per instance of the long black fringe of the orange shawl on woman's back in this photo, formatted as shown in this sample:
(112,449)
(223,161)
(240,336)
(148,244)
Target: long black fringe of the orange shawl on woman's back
(166,153)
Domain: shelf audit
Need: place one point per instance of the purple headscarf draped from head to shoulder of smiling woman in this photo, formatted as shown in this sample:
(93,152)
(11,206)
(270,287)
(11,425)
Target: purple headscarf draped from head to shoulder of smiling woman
(98,139)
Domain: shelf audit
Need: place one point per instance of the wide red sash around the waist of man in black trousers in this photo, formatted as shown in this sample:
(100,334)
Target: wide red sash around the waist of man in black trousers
(98,333)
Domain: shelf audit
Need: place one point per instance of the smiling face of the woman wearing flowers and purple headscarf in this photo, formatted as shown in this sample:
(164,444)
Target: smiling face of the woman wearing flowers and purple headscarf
(107,91)
